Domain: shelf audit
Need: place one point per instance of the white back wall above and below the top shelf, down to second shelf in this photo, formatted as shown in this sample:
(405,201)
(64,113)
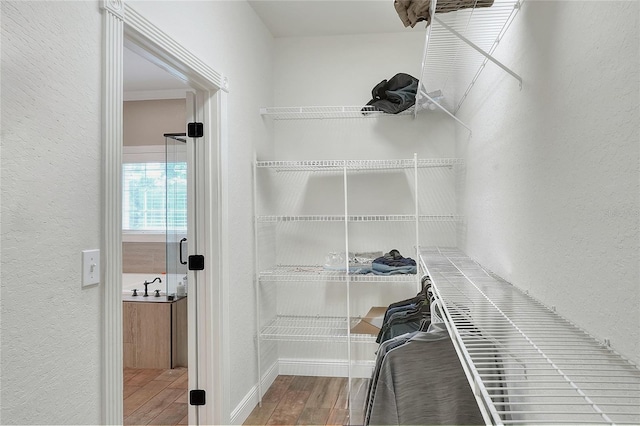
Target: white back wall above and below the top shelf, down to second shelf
(342,70)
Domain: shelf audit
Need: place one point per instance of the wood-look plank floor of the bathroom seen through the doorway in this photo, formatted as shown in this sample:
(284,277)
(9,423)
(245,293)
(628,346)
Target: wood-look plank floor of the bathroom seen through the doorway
(155,397)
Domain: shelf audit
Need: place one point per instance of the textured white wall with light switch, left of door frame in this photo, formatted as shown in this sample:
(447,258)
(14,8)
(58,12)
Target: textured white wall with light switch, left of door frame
(50,212)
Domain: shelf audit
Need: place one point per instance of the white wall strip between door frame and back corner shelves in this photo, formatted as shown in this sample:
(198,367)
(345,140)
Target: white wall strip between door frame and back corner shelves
(229,37)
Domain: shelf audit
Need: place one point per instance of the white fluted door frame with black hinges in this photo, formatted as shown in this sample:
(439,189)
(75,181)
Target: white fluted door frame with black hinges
(121,22)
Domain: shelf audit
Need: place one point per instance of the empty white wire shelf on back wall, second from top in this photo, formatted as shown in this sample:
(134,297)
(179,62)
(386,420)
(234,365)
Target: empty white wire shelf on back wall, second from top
(339,165)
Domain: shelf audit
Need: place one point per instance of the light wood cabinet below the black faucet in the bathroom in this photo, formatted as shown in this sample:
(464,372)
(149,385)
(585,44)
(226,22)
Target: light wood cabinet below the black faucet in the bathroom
(155,333)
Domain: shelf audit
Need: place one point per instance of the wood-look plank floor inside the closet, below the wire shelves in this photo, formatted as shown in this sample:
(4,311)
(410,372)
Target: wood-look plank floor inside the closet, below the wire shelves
(303,400)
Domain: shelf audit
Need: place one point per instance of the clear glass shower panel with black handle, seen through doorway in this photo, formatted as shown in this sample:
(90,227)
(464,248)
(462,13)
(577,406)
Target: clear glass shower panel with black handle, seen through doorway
(176,210)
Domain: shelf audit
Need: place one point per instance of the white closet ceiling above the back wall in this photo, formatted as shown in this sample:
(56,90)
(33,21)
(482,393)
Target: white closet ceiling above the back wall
(301,18)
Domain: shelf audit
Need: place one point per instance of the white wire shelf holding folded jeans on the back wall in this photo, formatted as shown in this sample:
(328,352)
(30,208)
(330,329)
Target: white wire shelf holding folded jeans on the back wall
(310,273)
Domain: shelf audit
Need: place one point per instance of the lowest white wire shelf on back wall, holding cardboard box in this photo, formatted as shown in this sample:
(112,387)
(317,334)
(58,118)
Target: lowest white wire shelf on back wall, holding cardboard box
(313,329)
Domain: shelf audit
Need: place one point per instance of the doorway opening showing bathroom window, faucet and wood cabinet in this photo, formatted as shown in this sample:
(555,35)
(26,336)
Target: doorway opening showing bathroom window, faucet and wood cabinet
(154,222)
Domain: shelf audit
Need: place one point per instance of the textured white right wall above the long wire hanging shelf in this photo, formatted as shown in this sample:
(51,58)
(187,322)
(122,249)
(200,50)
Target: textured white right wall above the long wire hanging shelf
(552,193)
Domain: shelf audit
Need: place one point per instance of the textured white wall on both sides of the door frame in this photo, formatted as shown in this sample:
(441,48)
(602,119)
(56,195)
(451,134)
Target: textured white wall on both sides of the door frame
(51,108)
